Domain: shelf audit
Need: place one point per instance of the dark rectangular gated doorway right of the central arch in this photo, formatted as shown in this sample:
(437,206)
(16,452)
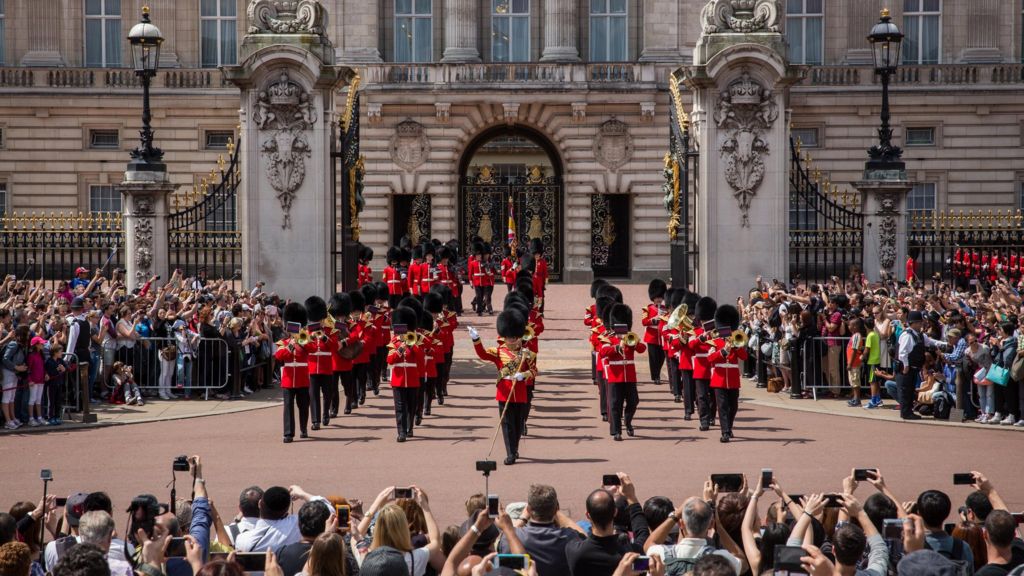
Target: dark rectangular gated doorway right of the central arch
(610,235)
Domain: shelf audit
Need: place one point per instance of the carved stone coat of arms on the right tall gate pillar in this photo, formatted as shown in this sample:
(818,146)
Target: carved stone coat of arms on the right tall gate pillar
(745,112)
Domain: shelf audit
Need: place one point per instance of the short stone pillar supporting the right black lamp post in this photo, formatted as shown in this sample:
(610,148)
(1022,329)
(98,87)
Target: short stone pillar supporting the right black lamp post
(885,224)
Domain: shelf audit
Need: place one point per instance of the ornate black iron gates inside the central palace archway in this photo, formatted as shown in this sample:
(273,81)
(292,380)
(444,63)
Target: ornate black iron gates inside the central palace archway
(537,205)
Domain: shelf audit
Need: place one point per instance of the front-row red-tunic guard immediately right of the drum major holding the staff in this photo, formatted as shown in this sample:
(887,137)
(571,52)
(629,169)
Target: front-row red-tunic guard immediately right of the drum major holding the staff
(619,355)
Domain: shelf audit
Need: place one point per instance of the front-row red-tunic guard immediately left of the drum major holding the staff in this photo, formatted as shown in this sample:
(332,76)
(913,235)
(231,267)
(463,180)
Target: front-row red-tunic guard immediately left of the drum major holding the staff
(406,359)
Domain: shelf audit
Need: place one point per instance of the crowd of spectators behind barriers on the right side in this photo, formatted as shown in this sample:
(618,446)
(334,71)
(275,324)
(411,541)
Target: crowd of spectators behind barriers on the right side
(865,341)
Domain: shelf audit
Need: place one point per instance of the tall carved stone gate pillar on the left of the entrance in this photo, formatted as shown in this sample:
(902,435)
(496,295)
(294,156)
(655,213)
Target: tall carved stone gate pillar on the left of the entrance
(288,85)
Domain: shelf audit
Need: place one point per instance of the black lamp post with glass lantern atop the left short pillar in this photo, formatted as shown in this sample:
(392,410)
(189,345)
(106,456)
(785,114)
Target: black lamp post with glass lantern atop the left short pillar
(146,42)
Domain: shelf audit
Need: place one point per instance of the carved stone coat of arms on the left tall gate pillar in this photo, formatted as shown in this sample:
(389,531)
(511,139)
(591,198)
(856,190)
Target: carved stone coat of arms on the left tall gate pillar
(287,112)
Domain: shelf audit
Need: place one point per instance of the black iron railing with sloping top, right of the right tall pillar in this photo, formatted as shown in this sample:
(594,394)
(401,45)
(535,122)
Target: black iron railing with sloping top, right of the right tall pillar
(827,228)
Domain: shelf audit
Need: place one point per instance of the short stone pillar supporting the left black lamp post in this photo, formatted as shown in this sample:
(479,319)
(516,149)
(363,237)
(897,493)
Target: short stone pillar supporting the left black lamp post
(145,199)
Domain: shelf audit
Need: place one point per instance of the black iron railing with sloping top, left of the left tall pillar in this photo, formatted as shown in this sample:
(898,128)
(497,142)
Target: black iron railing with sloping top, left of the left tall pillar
(202,228)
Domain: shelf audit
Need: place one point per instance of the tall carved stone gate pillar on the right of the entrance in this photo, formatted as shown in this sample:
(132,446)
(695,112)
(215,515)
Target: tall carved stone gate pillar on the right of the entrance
(740,84)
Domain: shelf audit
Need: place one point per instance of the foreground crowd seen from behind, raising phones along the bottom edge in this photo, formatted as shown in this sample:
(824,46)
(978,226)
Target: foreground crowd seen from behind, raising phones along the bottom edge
(282,531)
